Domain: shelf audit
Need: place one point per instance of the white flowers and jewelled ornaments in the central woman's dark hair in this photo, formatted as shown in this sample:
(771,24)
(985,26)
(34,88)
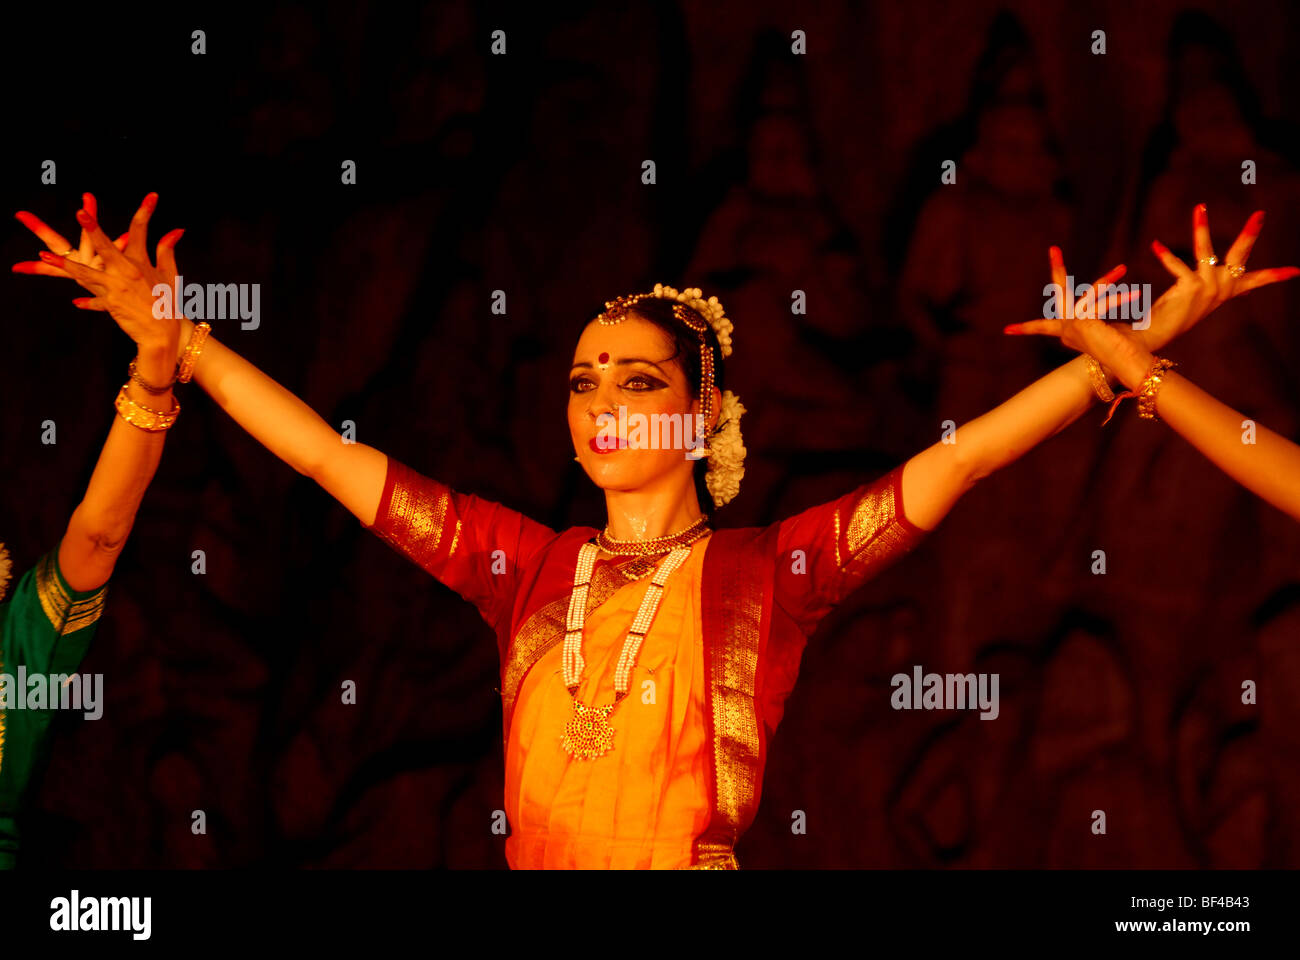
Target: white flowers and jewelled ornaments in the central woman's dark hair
(725,447)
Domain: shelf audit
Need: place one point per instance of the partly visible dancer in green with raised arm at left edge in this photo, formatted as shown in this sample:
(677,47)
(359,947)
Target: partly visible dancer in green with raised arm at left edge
(49,620)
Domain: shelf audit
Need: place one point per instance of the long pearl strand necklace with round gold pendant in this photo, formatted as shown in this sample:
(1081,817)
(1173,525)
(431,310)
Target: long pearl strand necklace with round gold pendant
(590,733)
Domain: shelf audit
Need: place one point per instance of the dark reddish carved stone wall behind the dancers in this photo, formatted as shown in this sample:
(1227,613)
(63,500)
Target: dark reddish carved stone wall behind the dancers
(522,174)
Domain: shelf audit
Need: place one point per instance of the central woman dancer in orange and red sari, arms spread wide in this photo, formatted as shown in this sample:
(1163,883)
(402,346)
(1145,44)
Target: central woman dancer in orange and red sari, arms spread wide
(645,664)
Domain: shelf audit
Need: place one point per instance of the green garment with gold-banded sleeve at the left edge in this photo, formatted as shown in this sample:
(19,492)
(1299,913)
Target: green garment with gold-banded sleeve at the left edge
(46,626)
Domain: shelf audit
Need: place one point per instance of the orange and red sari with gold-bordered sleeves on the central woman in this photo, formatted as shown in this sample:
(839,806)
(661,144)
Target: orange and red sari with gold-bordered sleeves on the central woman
(684,779)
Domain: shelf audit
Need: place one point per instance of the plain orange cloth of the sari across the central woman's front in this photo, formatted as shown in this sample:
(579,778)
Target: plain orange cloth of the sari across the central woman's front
(643,805)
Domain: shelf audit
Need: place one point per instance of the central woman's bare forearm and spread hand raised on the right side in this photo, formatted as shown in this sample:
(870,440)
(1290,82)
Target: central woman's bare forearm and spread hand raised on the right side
(935,479)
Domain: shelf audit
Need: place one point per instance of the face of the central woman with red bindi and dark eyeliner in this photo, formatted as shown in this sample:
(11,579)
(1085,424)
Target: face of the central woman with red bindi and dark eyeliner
(621,379)
